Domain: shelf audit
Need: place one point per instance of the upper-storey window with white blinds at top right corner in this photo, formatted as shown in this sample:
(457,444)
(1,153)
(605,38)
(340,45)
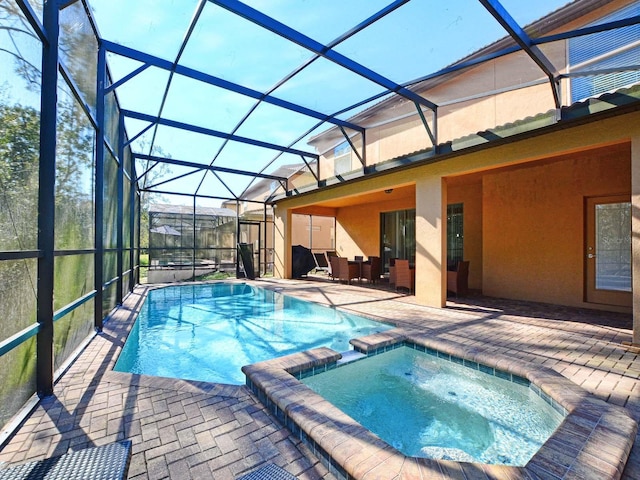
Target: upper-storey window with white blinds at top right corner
(605,50)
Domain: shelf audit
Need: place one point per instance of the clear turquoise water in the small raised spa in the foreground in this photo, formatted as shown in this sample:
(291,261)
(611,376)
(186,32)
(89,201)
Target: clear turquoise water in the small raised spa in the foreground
(426,406)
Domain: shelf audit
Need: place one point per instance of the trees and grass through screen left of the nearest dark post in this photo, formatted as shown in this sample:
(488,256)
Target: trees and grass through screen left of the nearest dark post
(19,145)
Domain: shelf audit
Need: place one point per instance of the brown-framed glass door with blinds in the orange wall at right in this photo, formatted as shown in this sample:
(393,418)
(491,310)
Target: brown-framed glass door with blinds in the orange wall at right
(608,251)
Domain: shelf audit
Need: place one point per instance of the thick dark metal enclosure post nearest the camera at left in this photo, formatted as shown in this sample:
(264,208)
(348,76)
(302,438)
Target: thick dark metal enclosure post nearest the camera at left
(46,201)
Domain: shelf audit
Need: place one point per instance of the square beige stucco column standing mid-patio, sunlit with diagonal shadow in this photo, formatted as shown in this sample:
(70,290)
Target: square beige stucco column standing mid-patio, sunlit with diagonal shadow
(431,278)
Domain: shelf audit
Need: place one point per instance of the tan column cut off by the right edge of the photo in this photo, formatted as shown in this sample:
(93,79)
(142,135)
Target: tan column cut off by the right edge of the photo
(635,234)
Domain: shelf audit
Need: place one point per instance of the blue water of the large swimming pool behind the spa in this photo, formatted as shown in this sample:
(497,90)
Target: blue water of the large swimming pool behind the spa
(208,332)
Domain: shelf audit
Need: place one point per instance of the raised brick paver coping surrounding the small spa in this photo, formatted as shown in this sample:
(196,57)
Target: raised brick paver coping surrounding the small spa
(592,442)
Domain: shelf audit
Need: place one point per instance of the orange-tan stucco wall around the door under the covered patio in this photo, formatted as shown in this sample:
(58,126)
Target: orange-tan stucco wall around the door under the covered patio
(533,224)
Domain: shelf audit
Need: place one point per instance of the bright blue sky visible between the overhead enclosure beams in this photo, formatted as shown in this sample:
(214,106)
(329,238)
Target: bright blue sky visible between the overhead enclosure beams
(419,38)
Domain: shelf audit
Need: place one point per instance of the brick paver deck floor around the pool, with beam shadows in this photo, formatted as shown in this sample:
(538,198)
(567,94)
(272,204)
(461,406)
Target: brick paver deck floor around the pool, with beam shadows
(184,429)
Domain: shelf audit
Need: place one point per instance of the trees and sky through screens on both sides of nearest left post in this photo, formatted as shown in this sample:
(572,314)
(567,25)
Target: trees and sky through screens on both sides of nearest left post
(19,177)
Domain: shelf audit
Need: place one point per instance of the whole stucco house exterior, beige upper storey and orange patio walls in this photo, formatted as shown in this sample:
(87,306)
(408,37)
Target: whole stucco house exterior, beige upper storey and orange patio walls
(524,196)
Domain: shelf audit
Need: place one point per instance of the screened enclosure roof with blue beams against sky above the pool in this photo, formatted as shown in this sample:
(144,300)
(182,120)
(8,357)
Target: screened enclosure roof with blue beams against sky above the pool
(223,93)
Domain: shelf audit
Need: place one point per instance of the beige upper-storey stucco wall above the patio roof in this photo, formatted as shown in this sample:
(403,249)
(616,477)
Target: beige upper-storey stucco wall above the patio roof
(494,93)
